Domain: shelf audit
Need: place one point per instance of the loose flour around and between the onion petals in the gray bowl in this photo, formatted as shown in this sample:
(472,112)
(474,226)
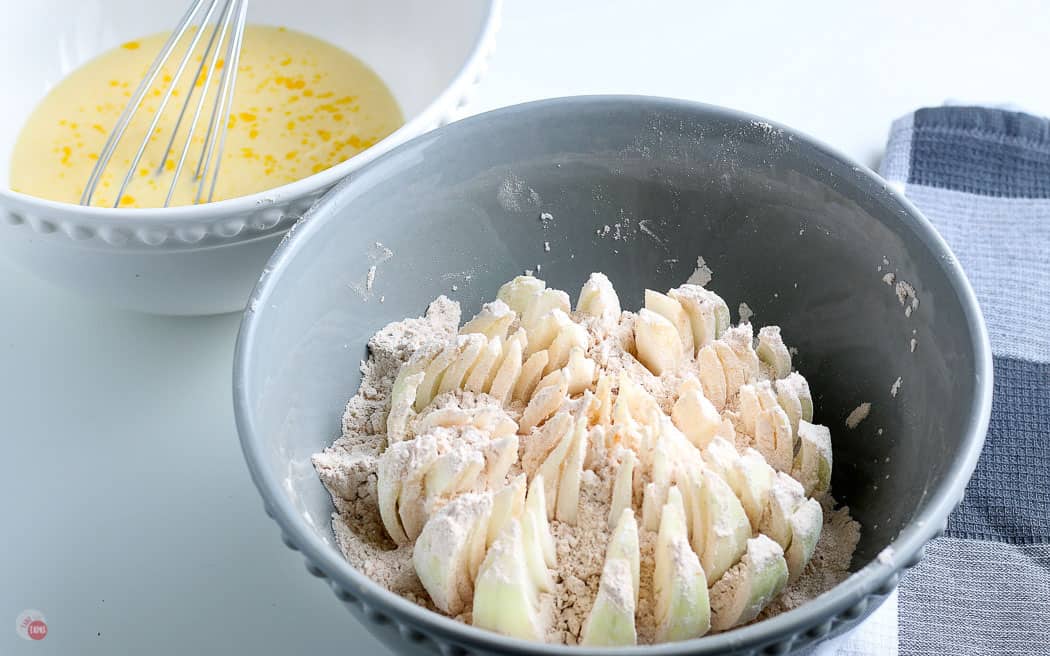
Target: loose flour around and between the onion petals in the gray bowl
(348,469)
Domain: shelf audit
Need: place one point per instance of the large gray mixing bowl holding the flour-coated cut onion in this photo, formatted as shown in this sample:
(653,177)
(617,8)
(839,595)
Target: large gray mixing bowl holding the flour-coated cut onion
(801,234)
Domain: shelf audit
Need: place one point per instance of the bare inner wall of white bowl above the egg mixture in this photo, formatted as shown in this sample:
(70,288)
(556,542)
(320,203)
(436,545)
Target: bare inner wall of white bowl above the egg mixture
(416,47)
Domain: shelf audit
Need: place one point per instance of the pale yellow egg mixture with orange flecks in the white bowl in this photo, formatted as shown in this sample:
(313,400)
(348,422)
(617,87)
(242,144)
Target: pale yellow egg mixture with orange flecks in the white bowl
(301,107)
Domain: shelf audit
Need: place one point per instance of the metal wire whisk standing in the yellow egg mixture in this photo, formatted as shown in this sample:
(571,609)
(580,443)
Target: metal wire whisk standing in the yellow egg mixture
(224,22)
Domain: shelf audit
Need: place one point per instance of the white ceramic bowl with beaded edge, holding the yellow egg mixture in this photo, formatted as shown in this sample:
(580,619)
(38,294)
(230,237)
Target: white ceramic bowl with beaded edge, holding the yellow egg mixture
(204,260)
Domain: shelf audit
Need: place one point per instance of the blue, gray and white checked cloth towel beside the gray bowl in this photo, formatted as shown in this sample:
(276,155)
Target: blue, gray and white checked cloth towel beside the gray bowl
(983,178)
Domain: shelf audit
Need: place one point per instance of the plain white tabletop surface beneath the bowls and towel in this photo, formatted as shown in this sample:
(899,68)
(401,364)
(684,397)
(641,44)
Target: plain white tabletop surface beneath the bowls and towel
(131,521)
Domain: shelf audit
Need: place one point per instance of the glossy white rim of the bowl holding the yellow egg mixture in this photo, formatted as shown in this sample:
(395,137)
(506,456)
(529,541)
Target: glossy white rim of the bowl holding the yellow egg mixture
(211,213)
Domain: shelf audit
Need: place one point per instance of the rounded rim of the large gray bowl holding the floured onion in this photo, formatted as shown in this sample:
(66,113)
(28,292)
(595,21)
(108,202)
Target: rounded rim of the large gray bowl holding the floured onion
(872,583)
